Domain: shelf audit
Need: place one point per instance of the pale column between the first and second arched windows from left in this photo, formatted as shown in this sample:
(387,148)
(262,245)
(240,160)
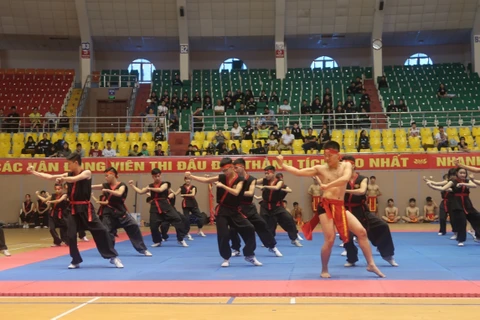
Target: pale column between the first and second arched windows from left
(183,39)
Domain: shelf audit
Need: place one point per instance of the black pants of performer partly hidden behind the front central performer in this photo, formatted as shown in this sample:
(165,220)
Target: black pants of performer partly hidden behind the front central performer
(260,226)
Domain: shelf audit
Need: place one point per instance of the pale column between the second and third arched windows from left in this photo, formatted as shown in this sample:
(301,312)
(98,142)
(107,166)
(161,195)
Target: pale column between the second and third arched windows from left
(280,46)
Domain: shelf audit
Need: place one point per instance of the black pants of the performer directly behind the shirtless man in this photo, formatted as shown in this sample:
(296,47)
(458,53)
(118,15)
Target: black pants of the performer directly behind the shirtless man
(378,232)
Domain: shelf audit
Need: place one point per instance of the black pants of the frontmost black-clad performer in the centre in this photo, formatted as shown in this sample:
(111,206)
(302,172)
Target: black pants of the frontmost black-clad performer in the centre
(232,218)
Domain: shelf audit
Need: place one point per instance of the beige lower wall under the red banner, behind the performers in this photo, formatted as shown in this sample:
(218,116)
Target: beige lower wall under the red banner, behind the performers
(399,185)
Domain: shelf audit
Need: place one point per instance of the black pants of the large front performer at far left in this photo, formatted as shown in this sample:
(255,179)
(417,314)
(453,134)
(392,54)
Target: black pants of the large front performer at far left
(100,234)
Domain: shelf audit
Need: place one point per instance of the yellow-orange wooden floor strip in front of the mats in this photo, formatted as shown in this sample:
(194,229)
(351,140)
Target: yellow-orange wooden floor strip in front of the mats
(236,309)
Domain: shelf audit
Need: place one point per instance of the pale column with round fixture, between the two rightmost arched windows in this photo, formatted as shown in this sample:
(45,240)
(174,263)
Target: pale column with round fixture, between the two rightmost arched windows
(376,43)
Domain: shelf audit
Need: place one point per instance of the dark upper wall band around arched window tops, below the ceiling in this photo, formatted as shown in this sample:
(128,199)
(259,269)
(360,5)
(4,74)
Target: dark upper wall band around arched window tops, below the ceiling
(213,59)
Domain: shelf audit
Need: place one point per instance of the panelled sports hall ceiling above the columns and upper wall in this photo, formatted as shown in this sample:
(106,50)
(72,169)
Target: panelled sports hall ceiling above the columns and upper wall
(151,25)
